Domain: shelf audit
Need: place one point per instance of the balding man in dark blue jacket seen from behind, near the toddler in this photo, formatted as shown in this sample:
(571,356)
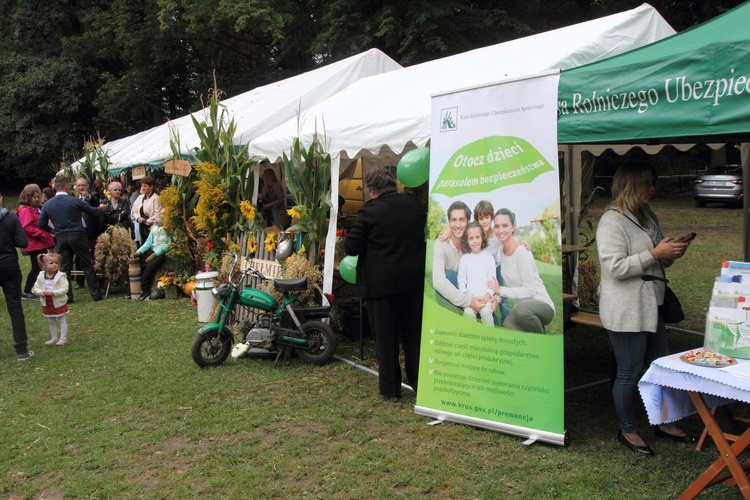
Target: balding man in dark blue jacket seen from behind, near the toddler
(66,212)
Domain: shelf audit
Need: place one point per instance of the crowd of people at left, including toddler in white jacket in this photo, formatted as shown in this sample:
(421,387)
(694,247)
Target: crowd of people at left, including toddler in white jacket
(58,229)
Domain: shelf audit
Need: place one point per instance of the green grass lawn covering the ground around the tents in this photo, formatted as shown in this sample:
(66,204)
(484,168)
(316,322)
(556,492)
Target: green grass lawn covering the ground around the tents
(123,412)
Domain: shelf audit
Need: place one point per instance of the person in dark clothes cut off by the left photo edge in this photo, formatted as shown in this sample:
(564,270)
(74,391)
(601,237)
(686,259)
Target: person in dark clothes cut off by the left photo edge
(12,237)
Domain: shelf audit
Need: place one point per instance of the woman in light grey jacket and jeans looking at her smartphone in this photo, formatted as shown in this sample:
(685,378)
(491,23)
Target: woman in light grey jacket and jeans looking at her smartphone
(630,245)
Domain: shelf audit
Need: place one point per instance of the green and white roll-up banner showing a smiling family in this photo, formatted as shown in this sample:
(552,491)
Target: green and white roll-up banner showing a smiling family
(495,146)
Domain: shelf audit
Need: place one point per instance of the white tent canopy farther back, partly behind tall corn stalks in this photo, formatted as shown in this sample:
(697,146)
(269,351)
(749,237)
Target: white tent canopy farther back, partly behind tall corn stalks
(254,112)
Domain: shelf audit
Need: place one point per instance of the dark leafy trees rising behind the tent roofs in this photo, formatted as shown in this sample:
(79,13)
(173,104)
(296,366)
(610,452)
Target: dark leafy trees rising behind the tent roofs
(70,70)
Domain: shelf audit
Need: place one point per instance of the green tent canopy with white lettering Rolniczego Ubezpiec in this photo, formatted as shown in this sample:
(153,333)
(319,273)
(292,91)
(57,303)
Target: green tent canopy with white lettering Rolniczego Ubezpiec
(691,87)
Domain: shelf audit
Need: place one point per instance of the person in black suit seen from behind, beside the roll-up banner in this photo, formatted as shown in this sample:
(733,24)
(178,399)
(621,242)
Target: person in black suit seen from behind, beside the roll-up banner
(388,236)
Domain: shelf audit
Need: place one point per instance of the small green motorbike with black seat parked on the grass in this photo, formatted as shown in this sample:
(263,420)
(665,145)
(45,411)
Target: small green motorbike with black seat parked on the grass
(271,329)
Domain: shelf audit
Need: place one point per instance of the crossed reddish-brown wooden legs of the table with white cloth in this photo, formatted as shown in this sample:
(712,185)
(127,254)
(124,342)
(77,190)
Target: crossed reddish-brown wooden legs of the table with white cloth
(727,454)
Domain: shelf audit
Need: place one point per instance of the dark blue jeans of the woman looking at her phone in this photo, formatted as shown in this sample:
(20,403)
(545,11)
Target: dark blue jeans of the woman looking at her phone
(633,351)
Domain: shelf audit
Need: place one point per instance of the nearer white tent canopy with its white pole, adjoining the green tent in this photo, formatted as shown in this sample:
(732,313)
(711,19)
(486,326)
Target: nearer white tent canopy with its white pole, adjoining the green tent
(380,117)
